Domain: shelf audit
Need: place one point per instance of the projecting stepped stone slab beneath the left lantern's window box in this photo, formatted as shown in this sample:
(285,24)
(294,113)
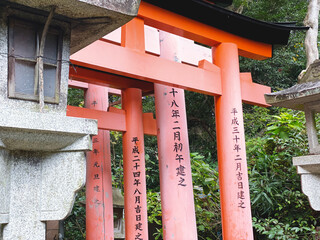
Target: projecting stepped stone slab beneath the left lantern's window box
(22,130)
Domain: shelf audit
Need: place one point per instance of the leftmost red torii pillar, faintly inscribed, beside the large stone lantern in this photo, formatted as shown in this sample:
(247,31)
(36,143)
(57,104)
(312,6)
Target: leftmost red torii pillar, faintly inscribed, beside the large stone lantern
(99,204)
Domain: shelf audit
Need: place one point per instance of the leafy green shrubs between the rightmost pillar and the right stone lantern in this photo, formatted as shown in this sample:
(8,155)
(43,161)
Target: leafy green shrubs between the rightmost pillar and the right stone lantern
(280,210)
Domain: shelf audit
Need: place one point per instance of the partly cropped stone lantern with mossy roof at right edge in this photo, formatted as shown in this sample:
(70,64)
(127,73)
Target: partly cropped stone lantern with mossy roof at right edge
(305,96)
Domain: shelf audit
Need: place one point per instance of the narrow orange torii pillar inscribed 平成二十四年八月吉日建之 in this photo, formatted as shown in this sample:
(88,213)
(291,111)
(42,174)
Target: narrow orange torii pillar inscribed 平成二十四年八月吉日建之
(135,199)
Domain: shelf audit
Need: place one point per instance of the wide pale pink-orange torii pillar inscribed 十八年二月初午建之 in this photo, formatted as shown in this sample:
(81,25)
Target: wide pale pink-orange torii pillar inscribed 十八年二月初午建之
(178,212)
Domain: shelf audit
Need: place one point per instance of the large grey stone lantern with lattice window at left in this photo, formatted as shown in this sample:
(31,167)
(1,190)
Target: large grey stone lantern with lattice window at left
(42,152)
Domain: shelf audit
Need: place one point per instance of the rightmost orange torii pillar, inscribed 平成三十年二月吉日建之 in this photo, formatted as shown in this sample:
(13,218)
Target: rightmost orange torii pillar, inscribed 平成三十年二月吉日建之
(233,175)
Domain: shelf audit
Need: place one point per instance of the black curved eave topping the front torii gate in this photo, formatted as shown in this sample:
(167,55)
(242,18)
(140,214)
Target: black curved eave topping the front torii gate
(240,25)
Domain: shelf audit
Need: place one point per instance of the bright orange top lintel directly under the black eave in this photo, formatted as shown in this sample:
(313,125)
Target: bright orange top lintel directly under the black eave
(182,26)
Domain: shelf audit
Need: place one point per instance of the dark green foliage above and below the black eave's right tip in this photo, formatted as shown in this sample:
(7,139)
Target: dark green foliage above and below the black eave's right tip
(280,71)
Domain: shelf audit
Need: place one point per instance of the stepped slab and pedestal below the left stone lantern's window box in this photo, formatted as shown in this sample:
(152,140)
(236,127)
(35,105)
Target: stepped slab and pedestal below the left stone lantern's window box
(42,165)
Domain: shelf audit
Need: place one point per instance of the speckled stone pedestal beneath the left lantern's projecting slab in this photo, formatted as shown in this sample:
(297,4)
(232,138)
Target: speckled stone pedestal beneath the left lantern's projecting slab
(38,187)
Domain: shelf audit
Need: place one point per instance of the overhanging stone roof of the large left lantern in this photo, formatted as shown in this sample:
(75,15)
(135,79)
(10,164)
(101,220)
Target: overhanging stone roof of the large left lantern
(91,19)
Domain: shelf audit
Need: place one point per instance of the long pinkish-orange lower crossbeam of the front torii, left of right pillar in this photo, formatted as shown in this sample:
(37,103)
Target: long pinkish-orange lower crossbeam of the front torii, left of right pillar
(133,64)
